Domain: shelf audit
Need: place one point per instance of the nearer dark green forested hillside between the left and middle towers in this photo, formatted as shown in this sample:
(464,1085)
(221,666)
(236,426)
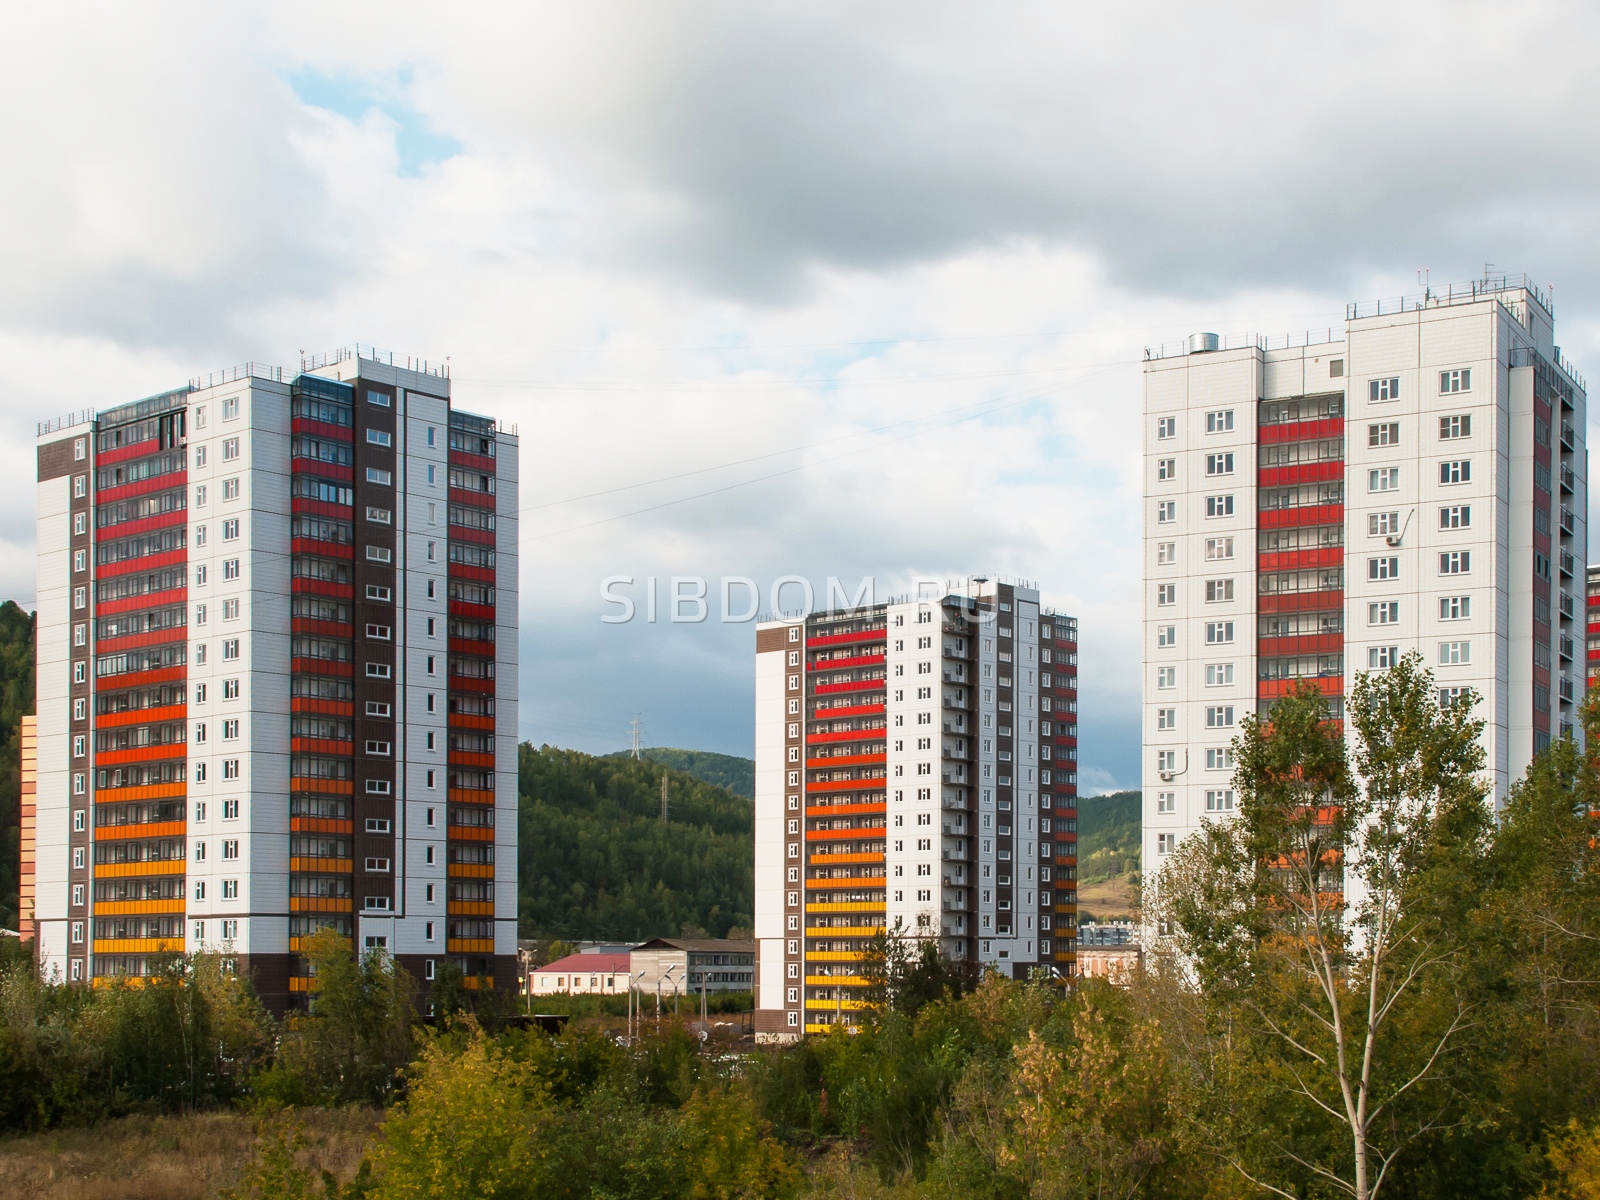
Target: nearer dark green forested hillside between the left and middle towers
(598,862)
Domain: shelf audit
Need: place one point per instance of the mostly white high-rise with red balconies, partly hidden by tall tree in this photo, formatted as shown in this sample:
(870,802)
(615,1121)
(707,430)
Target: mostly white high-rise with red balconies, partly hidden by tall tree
(1417,481)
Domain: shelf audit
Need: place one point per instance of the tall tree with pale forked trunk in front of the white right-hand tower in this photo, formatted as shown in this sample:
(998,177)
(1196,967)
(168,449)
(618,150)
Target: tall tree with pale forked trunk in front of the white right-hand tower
(1330,919)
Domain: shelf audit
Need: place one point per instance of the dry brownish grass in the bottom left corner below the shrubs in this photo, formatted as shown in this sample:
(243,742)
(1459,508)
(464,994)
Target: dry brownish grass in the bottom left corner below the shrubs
(169,1158)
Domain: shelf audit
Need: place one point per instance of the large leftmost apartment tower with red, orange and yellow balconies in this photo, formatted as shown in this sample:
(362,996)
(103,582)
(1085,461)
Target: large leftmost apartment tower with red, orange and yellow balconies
(278,676)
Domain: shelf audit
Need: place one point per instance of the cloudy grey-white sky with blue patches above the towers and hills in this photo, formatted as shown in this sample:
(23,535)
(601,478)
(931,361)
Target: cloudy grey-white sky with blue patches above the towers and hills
(770,289)
